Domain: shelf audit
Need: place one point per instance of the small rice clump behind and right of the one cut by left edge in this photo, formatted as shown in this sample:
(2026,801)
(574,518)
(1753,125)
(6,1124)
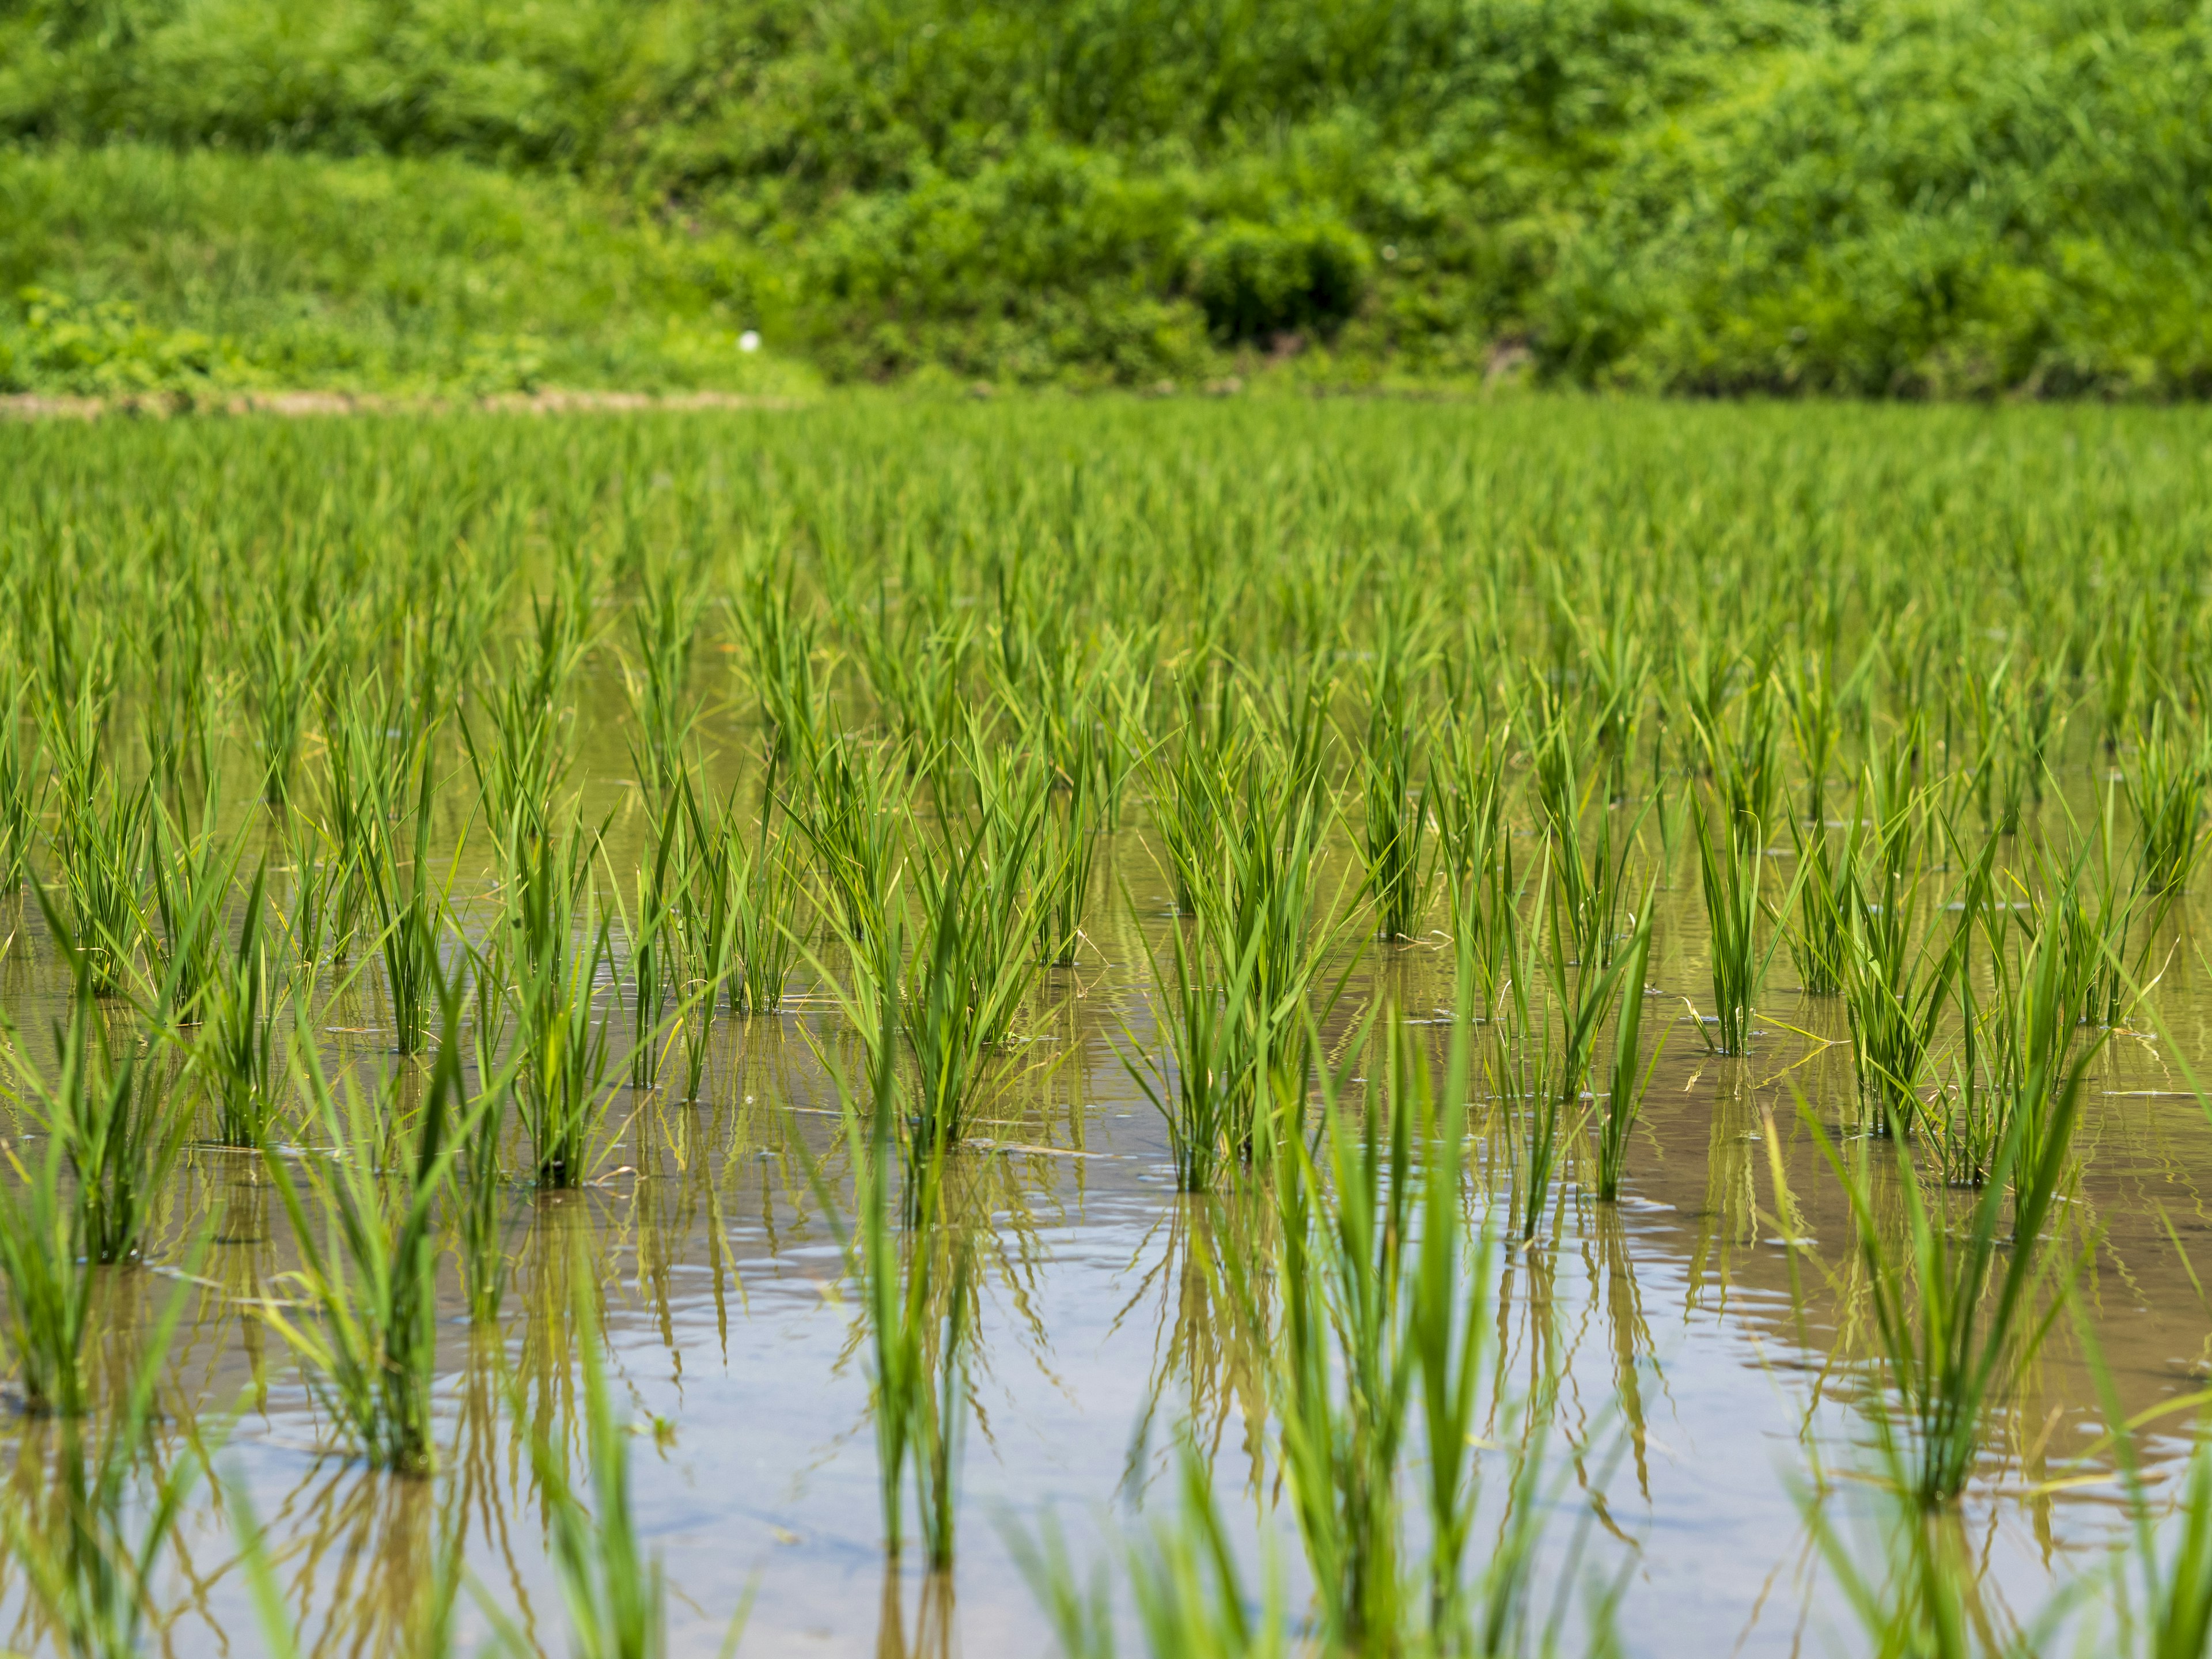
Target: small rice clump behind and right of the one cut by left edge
(109,1107)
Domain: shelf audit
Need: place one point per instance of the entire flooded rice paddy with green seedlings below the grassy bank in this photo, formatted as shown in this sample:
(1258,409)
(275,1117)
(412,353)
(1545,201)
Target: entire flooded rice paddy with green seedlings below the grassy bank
(1096,1027)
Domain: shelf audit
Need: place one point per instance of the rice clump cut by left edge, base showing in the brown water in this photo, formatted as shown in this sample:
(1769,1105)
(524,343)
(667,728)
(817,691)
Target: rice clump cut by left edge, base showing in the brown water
(48,1280)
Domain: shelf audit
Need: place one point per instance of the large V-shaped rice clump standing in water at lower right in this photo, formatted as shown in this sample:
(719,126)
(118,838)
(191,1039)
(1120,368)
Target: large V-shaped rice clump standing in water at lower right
(1963,1308)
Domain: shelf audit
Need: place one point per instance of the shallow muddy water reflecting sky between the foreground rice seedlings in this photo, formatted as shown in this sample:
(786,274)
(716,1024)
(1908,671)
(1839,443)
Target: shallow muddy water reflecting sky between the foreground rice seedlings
(1707,1333)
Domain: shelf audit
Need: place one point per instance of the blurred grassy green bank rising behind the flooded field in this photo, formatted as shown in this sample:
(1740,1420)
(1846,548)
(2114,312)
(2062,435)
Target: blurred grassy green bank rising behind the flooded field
(1895,198)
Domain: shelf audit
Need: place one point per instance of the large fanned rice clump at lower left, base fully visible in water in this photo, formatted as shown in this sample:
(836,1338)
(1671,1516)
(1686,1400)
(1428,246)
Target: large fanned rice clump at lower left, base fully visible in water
(371,1271)
